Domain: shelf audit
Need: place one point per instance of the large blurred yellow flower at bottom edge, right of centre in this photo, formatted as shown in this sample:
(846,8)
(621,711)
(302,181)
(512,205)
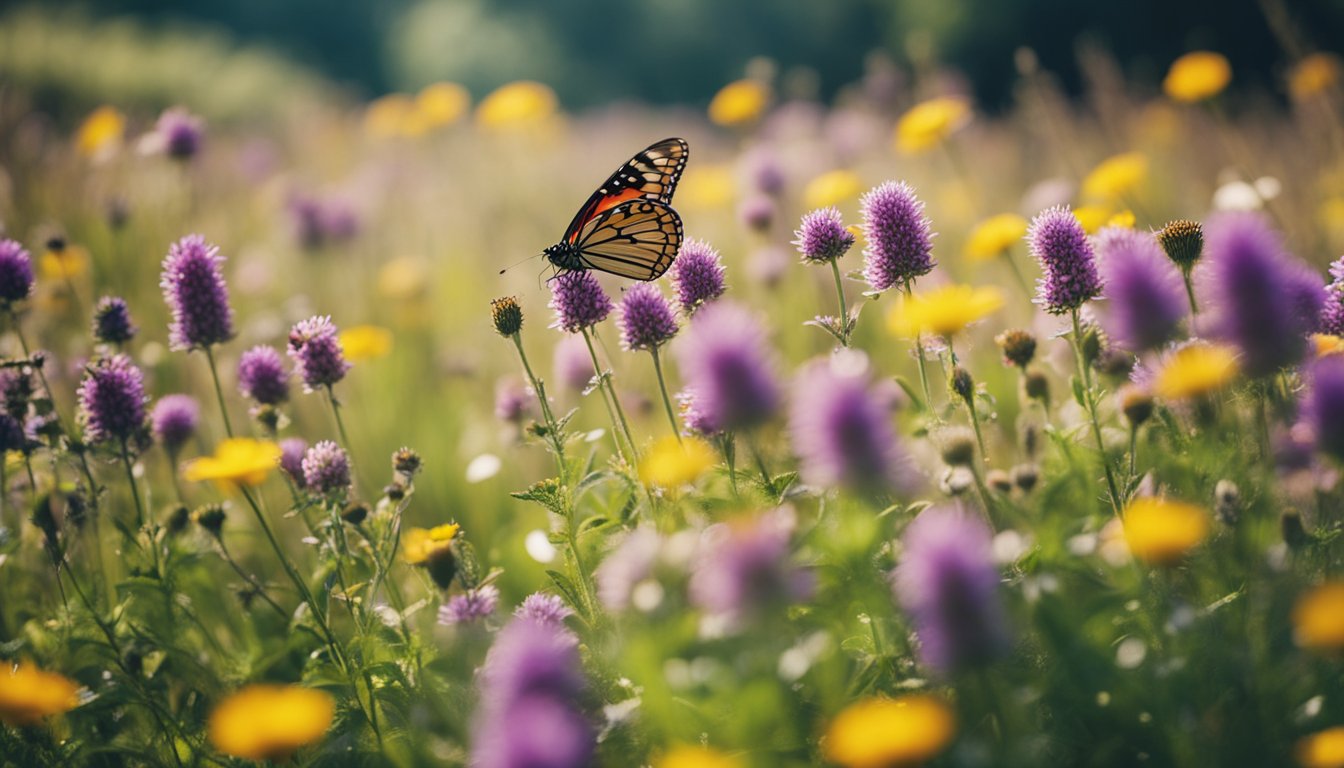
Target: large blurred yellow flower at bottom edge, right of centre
(886,732)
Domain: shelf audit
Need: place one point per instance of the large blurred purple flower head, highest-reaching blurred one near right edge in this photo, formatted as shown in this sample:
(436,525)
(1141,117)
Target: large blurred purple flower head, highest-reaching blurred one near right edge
(1264,301)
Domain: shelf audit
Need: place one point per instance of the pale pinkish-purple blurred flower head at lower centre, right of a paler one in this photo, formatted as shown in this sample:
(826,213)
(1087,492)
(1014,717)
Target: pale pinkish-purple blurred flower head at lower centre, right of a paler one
(745,568)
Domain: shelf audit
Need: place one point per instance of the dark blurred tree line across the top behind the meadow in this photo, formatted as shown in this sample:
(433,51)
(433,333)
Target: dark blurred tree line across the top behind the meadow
(661,52)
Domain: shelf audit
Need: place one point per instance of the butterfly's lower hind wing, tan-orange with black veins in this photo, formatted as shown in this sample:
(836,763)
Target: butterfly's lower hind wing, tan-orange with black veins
(636,239)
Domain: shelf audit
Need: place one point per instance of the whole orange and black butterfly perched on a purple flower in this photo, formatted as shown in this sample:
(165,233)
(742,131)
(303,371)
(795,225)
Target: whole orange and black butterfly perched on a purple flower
(628,227)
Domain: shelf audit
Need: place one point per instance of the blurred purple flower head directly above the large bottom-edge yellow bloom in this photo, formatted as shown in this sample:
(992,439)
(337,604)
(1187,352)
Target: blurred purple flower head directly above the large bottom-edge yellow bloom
(950,586)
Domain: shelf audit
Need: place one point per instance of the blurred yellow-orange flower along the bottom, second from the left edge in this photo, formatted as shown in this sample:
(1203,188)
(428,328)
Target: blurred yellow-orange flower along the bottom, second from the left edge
(271,722)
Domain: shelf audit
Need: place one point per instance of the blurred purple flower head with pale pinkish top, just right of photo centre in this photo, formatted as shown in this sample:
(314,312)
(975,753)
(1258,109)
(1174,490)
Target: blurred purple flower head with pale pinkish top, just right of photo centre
(842,428)
